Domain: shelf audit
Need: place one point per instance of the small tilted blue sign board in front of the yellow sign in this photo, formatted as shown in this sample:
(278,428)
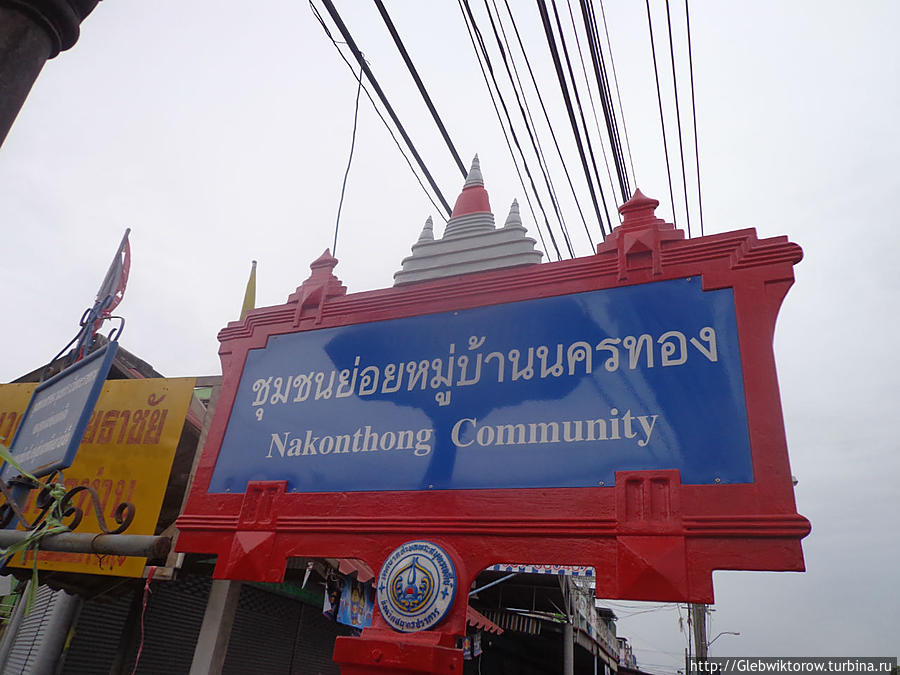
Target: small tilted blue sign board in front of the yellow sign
(57,414)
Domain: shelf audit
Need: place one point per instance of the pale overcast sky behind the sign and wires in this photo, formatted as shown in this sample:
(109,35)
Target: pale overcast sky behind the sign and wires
(219,132)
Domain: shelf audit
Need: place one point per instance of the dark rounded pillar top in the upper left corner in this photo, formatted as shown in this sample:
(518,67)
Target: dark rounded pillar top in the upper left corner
(32,31)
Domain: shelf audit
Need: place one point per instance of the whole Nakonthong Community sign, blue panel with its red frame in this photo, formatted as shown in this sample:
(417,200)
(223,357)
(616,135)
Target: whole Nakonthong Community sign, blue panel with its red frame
(618,411)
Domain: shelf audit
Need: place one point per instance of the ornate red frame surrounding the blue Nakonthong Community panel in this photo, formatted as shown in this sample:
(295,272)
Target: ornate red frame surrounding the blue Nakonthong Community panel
(649,537)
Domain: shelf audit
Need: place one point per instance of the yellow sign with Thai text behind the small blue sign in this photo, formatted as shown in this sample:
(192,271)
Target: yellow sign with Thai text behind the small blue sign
(125,455)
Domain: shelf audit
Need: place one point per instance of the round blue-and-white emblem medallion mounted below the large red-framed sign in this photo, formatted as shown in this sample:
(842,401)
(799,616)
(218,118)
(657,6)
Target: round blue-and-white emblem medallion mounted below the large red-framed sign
(416,586)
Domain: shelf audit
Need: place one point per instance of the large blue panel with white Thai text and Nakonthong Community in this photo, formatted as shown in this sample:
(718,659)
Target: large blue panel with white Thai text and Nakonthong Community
(554,392)
